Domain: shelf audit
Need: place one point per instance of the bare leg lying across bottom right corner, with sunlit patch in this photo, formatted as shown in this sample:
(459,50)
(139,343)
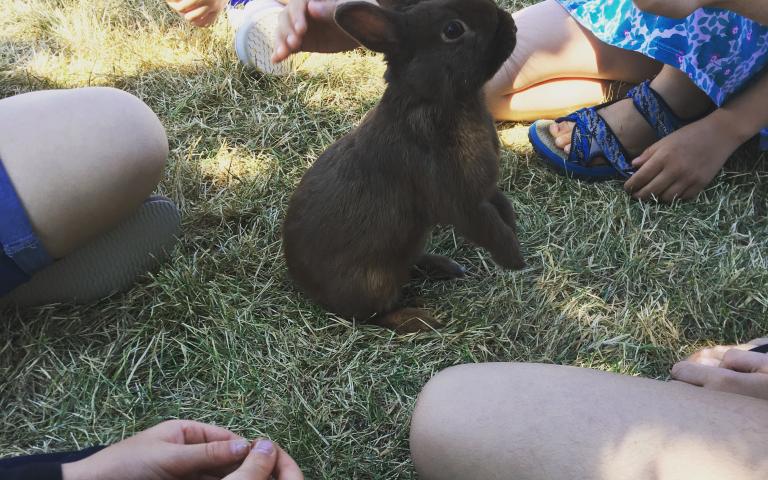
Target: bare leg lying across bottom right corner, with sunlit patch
(528,421)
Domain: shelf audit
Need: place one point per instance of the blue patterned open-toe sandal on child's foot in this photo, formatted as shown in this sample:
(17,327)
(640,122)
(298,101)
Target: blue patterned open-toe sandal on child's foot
(592,137)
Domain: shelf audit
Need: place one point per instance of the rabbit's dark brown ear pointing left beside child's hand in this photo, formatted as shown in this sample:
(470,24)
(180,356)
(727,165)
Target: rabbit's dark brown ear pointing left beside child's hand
(372,26)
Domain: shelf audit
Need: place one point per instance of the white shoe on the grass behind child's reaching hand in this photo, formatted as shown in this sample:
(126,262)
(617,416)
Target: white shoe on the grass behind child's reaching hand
(255,39)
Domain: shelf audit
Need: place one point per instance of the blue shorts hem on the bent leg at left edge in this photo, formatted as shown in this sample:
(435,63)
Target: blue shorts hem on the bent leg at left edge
(22,254)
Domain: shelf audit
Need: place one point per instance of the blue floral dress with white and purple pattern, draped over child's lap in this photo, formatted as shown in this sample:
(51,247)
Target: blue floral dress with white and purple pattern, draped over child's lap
(721,51)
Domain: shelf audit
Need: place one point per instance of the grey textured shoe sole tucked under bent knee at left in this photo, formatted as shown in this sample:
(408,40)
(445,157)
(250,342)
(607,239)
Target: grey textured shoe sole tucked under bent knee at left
(109,264)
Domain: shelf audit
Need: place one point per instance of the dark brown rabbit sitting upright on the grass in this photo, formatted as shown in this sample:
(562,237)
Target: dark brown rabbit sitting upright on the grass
(428,154)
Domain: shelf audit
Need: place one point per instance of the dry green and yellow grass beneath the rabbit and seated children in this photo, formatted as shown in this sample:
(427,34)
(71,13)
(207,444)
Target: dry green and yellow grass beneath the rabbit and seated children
(221,335)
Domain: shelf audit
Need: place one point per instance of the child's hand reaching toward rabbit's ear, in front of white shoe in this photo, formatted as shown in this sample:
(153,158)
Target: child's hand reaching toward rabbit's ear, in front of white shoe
(308,26)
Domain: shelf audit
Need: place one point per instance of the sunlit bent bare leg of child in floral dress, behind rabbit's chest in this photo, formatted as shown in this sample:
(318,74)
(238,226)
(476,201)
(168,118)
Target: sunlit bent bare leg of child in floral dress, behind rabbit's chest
(553,47)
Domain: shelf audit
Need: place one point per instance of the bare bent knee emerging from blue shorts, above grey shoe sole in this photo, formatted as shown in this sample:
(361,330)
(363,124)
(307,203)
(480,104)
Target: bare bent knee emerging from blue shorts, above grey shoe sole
(81,160)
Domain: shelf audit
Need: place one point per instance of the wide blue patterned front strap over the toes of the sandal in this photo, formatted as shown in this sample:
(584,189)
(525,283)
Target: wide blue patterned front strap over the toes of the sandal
(592,137)
